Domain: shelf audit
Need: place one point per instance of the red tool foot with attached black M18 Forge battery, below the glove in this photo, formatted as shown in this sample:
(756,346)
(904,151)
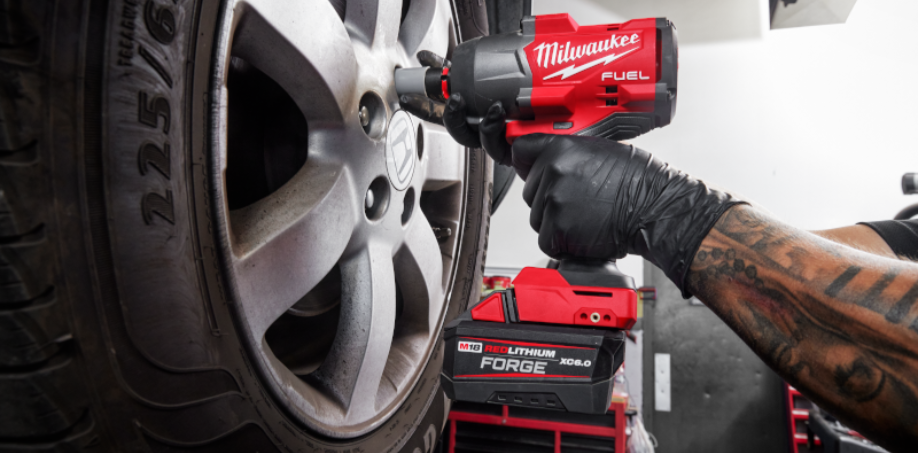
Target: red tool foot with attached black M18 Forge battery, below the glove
(553,341)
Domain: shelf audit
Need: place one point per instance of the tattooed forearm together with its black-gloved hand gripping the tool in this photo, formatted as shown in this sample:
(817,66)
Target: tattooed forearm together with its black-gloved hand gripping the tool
(839,324)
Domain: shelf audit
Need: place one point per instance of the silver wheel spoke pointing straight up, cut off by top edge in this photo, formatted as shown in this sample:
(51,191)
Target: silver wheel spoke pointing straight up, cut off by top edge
(374,22)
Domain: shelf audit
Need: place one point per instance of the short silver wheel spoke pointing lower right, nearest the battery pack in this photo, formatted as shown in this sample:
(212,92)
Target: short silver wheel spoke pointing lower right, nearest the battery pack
(420,268)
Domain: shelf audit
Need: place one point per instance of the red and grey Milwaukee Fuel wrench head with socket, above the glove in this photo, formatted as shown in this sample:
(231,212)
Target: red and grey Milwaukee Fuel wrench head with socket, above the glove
(616,81)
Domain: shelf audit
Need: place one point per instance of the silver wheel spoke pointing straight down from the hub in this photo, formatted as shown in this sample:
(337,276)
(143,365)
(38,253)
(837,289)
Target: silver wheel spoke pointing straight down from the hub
(353,369)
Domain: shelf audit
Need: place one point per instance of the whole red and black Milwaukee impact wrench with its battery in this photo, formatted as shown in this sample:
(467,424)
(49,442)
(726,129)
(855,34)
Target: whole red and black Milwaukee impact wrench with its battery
(557,337)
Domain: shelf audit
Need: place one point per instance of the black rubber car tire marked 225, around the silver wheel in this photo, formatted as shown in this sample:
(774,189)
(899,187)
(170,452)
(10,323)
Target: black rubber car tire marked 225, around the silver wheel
(119,326)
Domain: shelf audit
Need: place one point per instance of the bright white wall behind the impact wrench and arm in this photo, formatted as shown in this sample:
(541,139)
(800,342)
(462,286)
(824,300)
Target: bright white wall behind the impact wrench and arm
(816,124)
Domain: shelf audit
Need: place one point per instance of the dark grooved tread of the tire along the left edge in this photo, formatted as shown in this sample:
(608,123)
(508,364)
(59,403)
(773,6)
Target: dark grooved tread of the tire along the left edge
(44,406)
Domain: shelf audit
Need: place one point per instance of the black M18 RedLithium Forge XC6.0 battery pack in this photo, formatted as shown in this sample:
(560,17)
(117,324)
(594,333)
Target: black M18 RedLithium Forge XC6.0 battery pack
(544,366)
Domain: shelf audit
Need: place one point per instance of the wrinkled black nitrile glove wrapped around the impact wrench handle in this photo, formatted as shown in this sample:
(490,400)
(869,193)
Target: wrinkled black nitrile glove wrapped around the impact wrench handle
(596,198)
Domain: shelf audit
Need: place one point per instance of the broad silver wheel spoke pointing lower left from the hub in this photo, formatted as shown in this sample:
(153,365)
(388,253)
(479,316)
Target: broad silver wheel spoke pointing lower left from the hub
(284,254)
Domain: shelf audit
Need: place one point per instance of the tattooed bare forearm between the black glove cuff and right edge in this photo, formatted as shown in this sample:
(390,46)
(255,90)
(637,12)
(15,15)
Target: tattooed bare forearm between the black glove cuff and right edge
(838,324)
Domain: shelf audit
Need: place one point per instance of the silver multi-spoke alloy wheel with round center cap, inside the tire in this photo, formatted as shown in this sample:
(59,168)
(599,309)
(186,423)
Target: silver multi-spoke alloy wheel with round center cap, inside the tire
(341,215)
